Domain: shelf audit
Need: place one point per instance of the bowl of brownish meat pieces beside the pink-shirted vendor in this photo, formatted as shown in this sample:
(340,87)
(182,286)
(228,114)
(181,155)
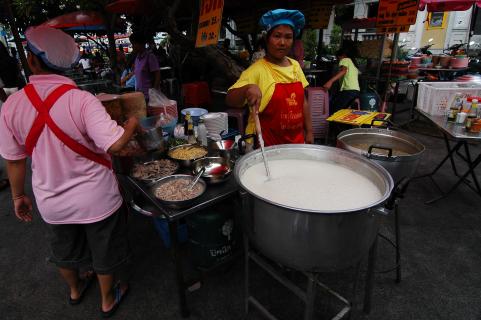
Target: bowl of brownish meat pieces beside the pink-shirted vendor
(151,171)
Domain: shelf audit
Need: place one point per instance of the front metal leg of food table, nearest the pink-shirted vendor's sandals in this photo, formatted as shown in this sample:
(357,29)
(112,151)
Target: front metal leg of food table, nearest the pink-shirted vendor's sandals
(179,272)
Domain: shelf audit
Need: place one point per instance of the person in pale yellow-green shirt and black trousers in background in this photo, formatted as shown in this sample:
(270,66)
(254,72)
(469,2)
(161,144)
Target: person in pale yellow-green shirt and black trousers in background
(348,74)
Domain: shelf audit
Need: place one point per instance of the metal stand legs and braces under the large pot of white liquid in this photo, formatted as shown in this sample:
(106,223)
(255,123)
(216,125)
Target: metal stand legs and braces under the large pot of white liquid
(308,296)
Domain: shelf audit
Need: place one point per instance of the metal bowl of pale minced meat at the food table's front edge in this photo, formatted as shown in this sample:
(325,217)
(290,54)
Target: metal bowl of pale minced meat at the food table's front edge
(173,190)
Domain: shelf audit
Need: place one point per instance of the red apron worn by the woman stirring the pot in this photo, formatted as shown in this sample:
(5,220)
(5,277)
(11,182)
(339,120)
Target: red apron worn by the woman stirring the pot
(282,120)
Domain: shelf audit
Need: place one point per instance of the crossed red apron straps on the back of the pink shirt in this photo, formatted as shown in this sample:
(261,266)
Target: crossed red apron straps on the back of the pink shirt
(43,118)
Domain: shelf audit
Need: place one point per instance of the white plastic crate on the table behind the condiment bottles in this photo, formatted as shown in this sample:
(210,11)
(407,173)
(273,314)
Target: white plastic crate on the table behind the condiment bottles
(434,97)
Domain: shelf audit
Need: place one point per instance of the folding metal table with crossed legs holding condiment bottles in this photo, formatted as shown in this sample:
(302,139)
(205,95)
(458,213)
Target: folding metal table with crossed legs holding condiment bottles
(463,140)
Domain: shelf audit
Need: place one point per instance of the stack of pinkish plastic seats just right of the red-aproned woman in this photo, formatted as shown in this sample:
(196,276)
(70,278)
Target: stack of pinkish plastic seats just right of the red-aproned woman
(319,105)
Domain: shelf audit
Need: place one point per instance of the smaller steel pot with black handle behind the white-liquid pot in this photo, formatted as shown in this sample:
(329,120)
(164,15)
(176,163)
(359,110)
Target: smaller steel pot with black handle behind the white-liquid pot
(382,146)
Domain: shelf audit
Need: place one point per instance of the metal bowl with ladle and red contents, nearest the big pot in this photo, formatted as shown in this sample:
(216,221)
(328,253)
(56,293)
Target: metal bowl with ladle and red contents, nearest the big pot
(217,169)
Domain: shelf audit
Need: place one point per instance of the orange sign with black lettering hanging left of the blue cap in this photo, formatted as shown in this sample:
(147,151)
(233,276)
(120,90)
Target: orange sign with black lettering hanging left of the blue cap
(210,18)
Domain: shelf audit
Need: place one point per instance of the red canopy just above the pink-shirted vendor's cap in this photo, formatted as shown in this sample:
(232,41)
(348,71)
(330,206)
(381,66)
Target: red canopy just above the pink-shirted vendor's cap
(77,21)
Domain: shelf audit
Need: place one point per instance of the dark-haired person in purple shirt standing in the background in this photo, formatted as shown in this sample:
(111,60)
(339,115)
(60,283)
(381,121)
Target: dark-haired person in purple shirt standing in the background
(147,70)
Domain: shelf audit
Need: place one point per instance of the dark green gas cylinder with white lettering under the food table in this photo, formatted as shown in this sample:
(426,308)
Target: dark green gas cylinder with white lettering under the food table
(212,235)
